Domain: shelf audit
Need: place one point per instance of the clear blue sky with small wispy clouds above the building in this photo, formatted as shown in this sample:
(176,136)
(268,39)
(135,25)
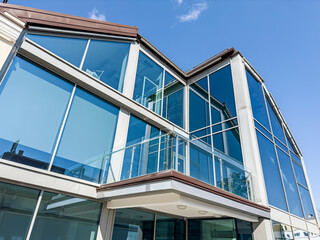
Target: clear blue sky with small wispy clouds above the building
(280,39)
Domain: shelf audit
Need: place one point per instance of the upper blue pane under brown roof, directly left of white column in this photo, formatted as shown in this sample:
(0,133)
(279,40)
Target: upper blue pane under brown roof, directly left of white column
(107,61)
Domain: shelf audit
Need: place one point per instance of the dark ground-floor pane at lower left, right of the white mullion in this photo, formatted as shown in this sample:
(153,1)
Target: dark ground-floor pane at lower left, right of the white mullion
(63,217)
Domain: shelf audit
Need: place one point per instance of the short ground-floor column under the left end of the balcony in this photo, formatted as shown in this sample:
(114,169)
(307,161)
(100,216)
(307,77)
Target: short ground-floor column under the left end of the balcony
(106,223)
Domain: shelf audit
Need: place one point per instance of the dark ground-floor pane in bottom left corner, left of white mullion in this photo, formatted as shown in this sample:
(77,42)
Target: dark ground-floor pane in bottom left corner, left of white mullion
(17,205)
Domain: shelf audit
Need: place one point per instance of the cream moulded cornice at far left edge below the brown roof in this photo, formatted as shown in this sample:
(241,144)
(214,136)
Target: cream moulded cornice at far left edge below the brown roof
(10,29)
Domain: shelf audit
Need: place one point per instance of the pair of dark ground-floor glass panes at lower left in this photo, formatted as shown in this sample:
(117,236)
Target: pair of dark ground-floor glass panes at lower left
(58,217)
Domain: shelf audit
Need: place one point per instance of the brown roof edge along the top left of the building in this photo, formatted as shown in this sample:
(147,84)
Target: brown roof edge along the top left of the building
(46,18)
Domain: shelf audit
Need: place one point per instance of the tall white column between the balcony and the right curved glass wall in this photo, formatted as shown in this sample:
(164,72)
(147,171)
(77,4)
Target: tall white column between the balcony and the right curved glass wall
(249,143)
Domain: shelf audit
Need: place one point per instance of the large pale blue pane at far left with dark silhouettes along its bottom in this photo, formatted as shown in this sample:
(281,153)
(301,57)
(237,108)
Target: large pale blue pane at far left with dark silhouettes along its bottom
(33,103)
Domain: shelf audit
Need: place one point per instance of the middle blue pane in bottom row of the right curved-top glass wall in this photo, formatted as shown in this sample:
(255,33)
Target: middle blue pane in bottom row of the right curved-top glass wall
(289,183)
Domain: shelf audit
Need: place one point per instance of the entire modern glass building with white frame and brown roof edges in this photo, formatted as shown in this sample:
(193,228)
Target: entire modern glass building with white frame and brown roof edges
(103,137)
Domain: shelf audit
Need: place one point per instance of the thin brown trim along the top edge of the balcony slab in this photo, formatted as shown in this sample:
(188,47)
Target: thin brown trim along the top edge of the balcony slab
(177,176)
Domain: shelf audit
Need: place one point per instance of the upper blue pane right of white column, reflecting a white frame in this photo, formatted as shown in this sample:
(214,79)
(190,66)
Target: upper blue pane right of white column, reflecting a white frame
(148,84)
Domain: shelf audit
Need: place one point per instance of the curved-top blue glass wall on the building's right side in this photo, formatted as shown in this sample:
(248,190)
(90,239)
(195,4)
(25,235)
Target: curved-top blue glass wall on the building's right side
(283,173)
